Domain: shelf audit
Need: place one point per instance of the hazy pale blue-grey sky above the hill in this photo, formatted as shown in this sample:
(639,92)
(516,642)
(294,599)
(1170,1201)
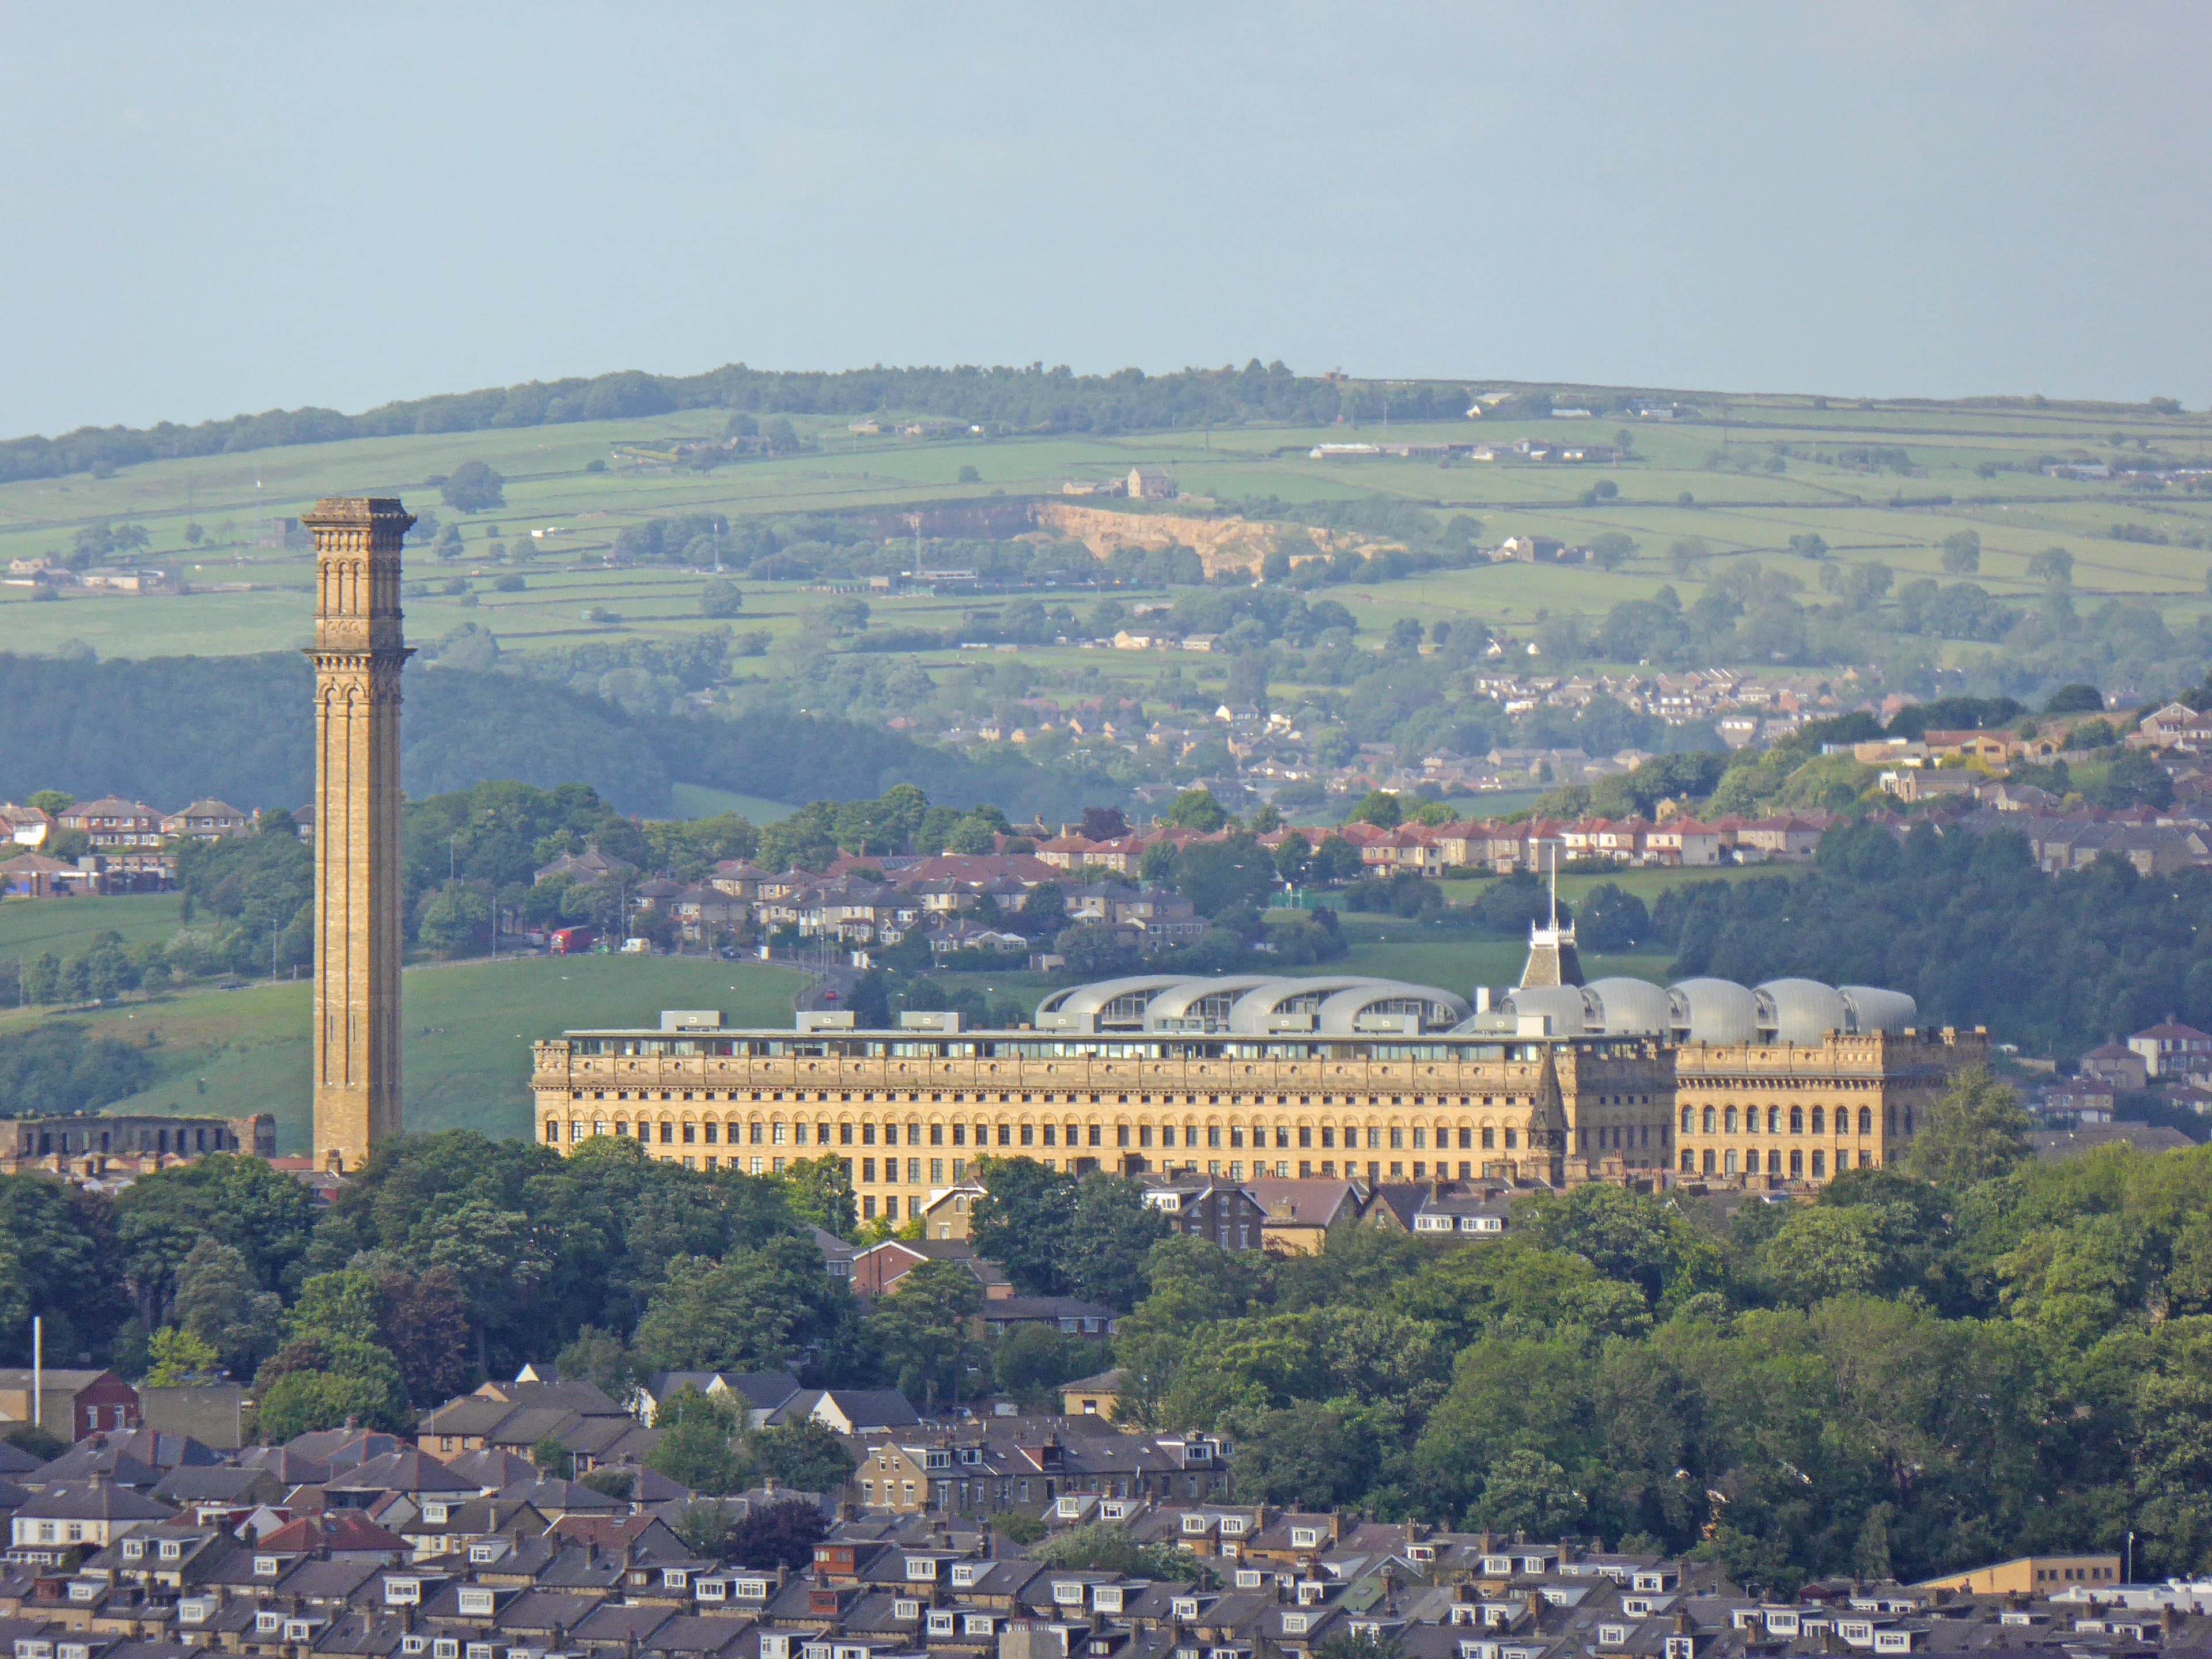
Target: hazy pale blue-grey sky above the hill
(225,209)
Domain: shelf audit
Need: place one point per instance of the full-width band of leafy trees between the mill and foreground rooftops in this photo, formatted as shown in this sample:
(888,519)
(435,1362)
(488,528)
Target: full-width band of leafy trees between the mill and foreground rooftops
(1954,1361)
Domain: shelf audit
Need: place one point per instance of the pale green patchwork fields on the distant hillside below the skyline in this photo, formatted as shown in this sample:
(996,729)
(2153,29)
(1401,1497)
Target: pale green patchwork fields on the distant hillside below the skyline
(1738,514)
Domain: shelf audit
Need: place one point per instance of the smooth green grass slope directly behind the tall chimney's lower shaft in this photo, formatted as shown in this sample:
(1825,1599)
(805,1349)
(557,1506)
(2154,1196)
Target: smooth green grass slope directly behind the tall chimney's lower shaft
(466,1030)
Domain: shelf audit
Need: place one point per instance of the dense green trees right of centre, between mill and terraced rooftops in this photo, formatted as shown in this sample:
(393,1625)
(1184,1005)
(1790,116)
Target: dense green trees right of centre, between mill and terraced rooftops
(1926,1368)
